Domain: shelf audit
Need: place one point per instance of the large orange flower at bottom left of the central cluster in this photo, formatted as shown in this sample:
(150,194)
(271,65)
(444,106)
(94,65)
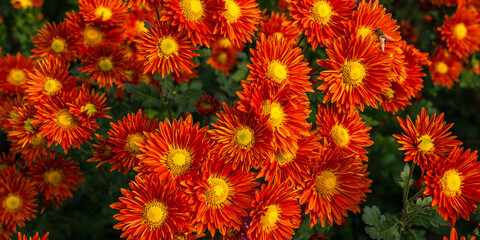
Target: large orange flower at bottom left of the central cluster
(152,209)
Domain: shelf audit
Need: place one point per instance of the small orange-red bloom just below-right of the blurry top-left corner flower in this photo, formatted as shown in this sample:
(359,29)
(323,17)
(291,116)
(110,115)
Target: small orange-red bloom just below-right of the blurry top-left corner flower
(57,41)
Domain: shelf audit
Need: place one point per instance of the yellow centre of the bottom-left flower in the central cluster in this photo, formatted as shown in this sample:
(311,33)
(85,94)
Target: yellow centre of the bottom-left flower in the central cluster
(154,214)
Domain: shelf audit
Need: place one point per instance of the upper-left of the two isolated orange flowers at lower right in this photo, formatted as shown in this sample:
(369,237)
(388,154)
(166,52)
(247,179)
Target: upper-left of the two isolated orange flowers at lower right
(426,139)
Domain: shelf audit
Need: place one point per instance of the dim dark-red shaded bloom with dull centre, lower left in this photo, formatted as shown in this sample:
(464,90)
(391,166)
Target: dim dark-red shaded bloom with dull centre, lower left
(55,177)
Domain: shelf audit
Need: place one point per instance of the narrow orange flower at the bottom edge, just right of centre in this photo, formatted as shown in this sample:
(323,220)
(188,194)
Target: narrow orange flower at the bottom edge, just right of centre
(276,212)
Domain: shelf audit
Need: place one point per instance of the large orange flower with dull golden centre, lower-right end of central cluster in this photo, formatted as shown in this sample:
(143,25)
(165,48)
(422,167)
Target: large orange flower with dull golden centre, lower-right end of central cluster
(338,184)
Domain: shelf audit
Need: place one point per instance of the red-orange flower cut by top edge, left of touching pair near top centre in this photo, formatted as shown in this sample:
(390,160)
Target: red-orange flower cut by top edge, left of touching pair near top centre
(193,16)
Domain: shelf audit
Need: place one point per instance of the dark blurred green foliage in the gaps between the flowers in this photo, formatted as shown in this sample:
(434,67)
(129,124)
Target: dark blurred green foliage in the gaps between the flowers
(88,216)
